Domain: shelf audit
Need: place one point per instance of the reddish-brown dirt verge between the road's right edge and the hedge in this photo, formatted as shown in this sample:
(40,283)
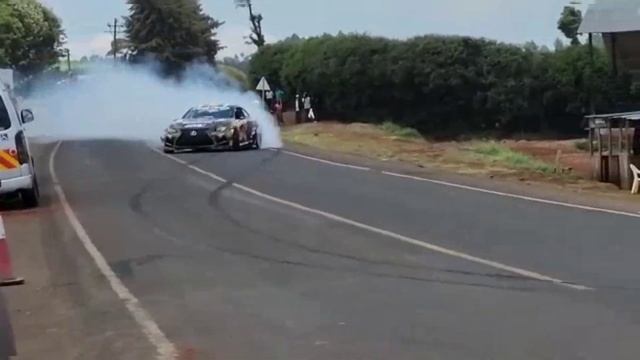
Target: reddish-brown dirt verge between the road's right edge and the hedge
(368,145)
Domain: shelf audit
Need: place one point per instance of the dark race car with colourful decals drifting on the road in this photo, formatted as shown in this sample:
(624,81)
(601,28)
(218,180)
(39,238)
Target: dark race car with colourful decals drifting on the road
(212,127)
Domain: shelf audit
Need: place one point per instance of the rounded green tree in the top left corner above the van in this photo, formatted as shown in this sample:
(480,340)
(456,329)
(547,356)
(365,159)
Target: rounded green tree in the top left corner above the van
(31,36)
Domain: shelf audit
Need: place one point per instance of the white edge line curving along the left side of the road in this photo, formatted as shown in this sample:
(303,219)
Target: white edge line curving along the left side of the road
(164,348)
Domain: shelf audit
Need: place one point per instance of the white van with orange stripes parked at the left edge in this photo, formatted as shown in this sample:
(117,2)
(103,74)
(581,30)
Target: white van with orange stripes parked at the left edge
(17,172)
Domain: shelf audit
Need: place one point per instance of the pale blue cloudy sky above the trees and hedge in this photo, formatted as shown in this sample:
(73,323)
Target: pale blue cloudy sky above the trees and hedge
(514,21)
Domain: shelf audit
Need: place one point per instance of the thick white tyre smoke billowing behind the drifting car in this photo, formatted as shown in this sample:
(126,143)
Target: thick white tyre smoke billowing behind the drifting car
(133,102)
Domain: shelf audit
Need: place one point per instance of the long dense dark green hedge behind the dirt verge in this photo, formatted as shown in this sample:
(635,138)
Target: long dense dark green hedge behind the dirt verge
(444,85)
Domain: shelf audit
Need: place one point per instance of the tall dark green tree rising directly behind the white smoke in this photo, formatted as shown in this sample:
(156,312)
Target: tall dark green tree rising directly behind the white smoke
(173,32)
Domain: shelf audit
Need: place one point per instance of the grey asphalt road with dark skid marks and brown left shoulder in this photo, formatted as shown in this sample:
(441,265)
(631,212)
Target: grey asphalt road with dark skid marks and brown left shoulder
(226,273)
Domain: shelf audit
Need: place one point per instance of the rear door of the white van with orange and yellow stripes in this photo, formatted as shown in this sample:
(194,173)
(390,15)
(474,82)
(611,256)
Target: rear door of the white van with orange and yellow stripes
(9,125)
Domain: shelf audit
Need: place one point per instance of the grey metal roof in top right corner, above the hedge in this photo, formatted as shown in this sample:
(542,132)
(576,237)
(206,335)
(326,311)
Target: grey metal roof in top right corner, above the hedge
(607,16)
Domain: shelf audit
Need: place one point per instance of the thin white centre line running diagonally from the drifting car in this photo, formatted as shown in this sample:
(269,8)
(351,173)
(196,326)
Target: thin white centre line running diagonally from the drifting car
(425,245)
